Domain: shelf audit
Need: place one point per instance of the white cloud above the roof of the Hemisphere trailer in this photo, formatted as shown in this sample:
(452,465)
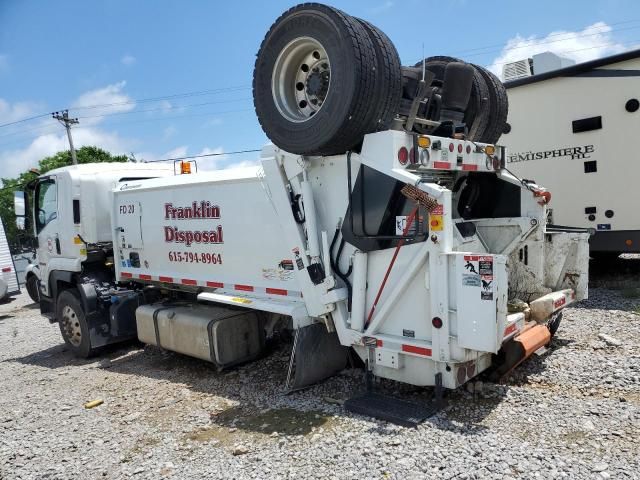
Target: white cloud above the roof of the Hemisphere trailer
(594,41)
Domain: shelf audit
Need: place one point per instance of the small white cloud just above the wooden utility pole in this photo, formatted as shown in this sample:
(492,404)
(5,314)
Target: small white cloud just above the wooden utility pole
(111,96)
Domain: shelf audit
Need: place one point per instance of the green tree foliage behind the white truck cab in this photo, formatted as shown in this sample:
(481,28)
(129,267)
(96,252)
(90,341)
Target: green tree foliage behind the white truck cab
(60,159)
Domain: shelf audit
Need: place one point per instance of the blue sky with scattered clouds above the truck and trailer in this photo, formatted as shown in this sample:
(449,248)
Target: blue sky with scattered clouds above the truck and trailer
(56,55)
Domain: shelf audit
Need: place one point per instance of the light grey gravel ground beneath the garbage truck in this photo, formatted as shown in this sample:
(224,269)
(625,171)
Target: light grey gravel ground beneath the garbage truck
(572,412)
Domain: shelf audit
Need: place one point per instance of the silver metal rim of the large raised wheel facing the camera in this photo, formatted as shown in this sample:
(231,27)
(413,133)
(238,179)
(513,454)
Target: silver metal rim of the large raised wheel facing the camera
(301,79)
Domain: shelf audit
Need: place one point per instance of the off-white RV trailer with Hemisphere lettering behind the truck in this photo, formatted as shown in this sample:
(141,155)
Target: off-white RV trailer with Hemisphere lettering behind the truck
(570,130)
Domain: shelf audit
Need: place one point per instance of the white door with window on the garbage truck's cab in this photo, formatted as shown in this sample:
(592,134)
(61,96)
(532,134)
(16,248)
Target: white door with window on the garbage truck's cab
(45,212)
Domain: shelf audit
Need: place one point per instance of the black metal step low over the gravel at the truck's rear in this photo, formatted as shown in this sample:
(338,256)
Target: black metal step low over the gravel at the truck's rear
(391,409)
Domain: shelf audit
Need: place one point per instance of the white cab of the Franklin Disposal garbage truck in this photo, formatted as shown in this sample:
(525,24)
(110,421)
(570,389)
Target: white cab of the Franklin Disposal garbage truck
(71,224)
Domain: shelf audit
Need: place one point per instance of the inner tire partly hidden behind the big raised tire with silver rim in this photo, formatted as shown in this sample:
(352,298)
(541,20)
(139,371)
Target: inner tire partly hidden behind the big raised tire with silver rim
(386,101)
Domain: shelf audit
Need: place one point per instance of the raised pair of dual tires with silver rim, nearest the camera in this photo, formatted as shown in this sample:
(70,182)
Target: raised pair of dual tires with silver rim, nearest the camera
(323,79)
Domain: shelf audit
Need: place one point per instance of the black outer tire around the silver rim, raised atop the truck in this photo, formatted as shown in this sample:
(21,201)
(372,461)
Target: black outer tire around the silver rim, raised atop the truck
(345,111)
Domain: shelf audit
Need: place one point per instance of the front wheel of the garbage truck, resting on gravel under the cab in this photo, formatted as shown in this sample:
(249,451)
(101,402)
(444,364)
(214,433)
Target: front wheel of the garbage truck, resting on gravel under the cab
(73,326)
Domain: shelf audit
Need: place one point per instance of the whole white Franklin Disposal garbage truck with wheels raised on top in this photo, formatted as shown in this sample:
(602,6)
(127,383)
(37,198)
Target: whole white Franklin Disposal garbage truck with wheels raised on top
(395,232)
